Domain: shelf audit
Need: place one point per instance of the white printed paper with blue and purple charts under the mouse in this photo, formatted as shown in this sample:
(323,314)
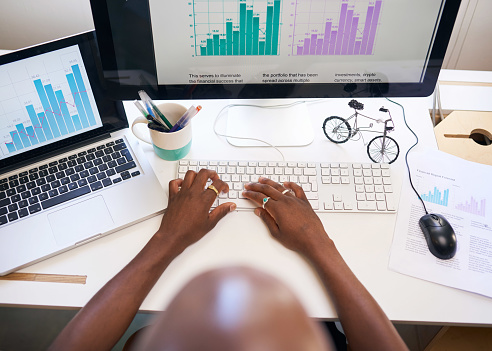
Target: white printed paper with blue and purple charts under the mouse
(460,191)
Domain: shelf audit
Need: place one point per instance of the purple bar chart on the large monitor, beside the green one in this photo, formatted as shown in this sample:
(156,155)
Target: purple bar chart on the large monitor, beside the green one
(347,27)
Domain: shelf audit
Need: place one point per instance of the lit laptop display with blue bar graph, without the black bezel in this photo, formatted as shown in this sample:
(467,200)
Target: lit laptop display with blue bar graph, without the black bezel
(43,99)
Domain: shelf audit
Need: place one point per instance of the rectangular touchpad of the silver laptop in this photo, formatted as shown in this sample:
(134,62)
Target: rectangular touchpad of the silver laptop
(80,221)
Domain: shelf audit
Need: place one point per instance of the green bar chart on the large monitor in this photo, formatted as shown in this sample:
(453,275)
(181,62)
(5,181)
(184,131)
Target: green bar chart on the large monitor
(237,28)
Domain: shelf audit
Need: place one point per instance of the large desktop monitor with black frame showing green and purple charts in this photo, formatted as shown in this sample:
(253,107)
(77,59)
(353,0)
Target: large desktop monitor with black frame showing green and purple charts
(273,48)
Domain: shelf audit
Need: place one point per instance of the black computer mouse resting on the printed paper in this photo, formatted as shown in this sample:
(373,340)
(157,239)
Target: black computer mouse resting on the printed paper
(439,235)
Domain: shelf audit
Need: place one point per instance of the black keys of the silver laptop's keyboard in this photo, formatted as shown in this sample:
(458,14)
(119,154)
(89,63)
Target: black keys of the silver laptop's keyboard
(56,182)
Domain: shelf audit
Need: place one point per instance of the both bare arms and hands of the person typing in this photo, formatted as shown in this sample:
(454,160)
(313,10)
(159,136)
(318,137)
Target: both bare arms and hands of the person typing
(290,219)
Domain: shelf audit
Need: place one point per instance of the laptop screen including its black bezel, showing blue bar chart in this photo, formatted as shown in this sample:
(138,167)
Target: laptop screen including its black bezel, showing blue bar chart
(52,99)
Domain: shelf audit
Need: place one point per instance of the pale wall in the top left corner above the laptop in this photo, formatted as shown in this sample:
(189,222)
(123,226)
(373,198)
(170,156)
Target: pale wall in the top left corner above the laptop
(28,22)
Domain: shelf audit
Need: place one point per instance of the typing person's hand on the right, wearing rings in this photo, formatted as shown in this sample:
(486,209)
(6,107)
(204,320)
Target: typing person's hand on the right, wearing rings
(289,217)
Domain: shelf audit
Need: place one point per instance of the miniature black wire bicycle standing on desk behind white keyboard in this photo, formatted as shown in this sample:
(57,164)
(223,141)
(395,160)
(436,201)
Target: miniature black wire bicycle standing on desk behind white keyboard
(380,149)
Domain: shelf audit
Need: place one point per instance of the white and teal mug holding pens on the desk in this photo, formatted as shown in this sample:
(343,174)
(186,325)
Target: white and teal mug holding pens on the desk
(168,146)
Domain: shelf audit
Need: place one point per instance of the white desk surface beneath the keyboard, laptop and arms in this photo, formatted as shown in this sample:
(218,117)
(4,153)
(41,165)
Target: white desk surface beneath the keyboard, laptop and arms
(364,240)
